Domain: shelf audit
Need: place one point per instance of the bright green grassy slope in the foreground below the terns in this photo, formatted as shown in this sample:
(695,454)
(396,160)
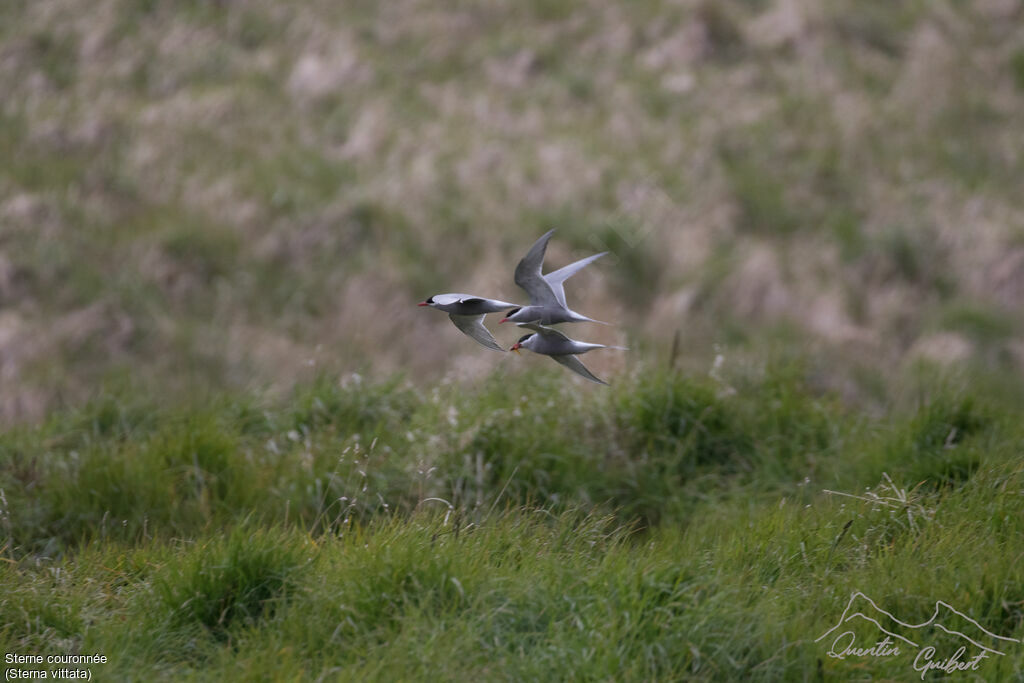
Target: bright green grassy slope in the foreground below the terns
(667,528)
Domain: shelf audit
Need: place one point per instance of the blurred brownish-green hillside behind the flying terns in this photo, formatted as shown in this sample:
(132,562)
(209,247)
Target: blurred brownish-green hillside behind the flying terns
(200,196)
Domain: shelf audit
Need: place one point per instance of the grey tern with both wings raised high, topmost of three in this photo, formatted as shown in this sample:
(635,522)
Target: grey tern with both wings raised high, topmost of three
(547,294)
